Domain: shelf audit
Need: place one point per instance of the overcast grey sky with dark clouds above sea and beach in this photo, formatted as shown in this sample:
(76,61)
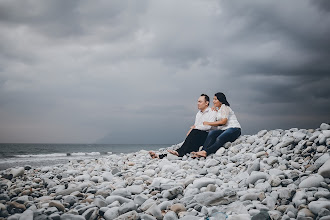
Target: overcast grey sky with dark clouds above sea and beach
(132,71)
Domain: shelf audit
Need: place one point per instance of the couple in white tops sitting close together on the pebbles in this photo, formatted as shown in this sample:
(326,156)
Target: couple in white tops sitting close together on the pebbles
(212,129)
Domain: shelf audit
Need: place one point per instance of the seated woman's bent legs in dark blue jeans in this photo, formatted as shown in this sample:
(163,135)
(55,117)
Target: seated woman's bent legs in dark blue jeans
(229,135)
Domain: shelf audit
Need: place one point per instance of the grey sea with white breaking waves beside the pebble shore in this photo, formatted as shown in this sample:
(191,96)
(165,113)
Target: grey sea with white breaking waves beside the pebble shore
(37,155)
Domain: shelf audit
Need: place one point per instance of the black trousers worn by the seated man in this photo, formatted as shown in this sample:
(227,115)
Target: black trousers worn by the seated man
(193,141)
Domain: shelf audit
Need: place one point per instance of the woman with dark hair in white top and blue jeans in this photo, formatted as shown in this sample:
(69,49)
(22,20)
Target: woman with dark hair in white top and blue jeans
(228,127)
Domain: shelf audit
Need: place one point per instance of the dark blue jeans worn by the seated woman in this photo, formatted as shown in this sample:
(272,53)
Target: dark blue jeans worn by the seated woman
(217,138)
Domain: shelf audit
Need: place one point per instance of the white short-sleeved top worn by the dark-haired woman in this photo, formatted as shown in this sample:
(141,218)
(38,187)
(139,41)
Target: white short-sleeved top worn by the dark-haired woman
(227,112)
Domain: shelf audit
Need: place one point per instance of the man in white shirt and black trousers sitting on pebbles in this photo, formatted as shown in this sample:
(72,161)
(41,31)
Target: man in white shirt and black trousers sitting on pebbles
(198,132)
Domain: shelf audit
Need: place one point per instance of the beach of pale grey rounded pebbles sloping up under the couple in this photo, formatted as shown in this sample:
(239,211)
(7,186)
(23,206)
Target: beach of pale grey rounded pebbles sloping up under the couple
(276,174)
